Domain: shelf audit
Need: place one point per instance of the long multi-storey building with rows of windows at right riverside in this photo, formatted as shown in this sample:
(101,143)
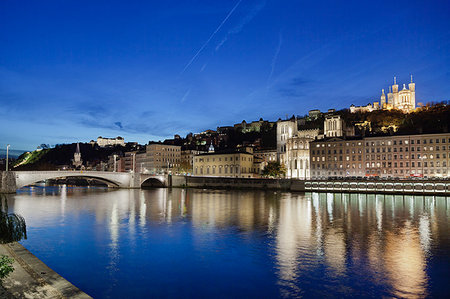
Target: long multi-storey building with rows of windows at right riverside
(403,156)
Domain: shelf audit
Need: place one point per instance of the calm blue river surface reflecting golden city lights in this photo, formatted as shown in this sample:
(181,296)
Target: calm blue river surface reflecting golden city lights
(218,243)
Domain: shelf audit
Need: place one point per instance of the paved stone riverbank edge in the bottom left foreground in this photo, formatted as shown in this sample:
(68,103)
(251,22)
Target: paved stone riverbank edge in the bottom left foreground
(31,278)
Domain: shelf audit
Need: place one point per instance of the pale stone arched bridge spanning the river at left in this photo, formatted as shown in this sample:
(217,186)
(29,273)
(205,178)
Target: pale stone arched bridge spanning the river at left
(12,180)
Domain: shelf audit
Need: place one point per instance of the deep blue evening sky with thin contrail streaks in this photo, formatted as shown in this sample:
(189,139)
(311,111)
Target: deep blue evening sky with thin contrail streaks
(145,70)
